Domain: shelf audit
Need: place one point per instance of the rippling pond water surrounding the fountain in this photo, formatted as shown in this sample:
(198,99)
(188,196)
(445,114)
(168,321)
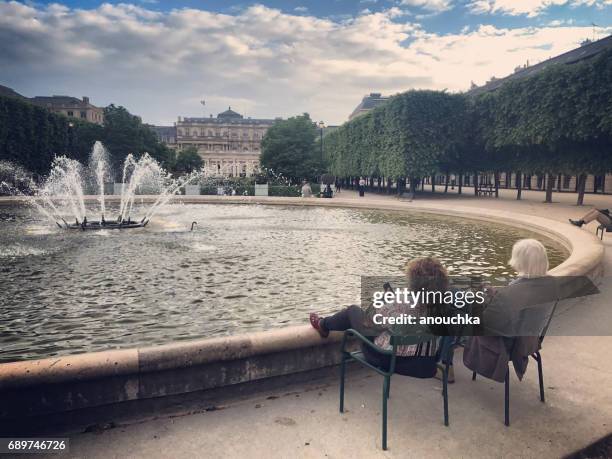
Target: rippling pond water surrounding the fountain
(243,268)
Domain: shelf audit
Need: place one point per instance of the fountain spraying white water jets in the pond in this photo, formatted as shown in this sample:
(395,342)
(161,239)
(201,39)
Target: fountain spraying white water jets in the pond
(61,197)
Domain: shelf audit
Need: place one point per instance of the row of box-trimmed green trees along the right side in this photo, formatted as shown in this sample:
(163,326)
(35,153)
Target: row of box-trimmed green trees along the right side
(558,121)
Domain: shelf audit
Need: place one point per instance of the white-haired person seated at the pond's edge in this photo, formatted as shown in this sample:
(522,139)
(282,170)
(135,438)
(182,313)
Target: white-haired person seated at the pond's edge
(489,355)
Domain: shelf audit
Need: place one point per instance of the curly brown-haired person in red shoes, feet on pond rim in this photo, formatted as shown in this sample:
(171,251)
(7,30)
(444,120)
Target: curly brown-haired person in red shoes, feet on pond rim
(423,273)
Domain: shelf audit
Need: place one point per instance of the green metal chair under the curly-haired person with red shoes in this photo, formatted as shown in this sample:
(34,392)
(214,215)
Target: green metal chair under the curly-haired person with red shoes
(419,340)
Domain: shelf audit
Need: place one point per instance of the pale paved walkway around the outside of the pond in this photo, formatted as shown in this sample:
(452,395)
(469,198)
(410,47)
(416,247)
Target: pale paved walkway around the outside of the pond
(303,420)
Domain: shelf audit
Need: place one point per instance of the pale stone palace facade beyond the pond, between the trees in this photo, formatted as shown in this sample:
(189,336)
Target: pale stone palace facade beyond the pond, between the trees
(229,144)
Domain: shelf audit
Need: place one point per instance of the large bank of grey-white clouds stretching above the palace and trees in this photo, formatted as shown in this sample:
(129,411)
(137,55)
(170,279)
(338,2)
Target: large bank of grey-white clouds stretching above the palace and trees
(261,61)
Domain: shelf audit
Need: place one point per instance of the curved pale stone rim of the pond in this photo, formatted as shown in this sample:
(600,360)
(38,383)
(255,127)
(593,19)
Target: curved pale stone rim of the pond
(58,385)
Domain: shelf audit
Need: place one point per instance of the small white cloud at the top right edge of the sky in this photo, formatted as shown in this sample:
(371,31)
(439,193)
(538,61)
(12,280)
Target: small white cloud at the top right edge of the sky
(530,8)
